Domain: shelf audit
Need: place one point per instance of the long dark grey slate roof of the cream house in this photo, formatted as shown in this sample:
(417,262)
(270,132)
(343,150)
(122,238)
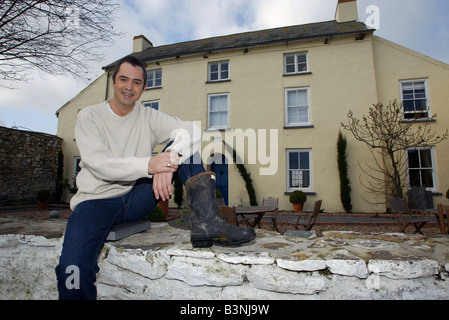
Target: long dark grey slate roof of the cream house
(320,30)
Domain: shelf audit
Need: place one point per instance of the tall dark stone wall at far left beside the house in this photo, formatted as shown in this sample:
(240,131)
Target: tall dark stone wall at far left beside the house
(28,163)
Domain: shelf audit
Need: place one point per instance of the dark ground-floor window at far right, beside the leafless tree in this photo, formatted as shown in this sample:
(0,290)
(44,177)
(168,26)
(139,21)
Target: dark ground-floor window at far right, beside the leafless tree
(421,170)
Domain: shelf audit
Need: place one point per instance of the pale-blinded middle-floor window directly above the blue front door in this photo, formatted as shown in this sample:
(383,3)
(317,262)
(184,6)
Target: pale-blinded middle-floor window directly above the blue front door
(218,110)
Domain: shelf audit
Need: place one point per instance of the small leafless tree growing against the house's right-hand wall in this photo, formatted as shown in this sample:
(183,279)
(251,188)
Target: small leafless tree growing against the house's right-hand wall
(384,130)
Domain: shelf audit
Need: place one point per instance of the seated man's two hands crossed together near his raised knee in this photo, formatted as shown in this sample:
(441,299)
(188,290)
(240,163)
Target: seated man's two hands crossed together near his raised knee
(162,167)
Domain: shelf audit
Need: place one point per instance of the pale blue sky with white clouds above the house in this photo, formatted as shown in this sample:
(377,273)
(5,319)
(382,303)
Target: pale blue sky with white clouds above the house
(421,25)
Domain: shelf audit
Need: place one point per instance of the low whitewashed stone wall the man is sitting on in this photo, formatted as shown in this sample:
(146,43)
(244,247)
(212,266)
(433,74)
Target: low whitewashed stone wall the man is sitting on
(160,264)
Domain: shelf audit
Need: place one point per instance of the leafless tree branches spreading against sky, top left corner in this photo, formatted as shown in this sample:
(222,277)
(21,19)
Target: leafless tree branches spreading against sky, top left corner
(55,36)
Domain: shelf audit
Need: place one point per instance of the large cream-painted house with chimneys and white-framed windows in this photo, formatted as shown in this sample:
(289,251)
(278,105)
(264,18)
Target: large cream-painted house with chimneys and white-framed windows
(278,97)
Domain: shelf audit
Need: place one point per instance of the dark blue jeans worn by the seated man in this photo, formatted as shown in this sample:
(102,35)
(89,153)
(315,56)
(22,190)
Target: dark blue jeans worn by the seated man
(89,226)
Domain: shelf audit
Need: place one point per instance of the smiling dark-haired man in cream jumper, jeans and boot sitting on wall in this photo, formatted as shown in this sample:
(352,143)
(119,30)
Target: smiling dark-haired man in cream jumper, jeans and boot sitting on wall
(120,181)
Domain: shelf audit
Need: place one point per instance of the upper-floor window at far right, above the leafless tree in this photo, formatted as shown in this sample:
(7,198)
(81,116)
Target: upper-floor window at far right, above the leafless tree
(415,99)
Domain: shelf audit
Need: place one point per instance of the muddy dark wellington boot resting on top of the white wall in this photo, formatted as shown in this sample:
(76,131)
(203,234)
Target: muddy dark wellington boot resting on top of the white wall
(206,224)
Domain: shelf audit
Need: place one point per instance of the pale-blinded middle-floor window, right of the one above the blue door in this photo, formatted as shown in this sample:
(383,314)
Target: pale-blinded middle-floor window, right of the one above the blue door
(297,107)
